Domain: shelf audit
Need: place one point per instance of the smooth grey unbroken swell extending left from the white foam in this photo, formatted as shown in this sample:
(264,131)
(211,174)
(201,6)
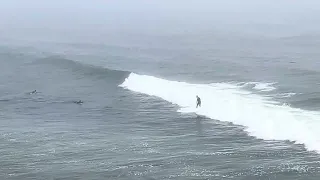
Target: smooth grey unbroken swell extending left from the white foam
(27,57)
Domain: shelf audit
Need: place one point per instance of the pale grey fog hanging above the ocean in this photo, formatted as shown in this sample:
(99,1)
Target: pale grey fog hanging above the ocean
(99,18)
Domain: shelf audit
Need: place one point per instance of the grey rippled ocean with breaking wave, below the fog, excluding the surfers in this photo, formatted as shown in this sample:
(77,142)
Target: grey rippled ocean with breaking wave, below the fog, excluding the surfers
(259,118)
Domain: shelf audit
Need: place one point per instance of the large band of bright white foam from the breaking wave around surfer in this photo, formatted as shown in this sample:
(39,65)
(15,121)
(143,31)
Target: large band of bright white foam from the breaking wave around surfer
(264,118)
